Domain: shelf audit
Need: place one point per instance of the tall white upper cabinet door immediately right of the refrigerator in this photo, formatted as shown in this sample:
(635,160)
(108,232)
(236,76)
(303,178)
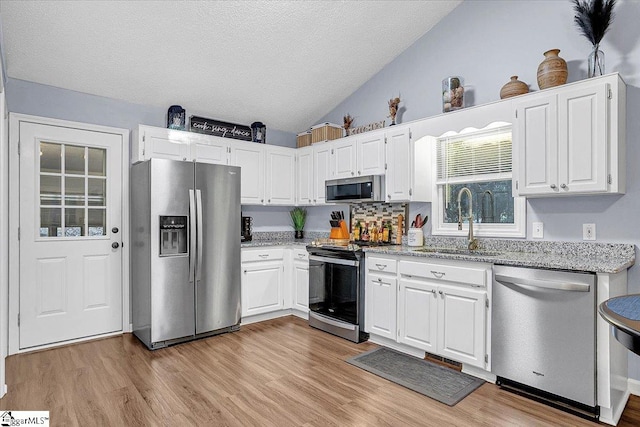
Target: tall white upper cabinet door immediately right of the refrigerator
(251,159)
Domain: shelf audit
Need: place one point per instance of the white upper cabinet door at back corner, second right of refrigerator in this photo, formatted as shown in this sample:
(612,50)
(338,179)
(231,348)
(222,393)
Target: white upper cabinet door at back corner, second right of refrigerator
(281,170)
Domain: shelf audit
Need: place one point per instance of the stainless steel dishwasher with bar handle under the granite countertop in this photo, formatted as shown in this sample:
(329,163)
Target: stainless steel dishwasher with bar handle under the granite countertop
(543,336)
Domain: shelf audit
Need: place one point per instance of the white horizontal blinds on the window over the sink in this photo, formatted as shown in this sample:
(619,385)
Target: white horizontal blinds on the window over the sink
(479,156)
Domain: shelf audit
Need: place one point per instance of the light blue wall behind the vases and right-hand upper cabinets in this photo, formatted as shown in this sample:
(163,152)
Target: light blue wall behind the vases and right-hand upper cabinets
(486,42)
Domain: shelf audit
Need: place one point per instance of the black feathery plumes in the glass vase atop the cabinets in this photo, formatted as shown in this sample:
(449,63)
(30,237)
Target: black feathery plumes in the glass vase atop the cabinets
(593,17)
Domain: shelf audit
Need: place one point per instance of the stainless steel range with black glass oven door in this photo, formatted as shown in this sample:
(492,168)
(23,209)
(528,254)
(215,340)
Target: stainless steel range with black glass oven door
(336,290)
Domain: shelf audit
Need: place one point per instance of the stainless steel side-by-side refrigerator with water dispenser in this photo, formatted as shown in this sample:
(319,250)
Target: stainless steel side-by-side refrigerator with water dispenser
(185,255)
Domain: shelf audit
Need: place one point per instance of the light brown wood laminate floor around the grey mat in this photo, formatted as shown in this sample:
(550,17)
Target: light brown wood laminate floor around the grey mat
(275,373)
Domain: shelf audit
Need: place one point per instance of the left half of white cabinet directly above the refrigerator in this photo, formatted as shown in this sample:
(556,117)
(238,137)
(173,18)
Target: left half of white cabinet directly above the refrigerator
(152,142)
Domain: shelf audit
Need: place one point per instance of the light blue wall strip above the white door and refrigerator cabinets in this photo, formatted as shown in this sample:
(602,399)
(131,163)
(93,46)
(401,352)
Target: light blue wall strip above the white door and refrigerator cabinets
(48,101)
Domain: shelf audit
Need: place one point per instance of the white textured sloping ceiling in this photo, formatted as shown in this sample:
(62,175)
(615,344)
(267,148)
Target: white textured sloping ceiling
(285,63)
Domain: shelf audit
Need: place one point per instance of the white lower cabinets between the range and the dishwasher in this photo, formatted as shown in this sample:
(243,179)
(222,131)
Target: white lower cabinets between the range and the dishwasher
(440,308)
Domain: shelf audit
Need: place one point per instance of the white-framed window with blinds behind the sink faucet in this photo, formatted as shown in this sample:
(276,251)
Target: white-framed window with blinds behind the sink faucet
(481,161)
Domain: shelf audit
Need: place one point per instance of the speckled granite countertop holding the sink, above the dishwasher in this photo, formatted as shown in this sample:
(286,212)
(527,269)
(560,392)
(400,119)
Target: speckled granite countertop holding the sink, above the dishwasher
(575,256)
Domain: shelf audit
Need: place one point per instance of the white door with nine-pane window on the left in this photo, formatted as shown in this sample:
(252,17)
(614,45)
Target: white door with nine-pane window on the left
(70,234)
